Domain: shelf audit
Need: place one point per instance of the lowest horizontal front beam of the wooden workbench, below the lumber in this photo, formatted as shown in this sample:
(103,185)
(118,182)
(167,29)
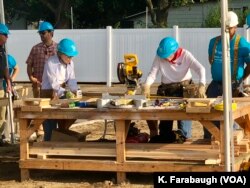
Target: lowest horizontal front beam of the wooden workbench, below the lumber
(129,166)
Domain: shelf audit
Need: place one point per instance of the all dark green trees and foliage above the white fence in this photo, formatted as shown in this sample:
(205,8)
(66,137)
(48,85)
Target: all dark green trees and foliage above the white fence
(100,13)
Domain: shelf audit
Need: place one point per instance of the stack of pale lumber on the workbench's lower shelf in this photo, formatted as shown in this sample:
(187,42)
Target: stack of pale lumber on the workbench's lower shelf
(202,153)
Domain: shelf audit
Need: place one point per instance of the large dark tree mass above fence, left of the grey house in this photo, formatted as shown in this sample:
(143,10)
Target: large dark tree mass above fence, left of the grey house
(86,13)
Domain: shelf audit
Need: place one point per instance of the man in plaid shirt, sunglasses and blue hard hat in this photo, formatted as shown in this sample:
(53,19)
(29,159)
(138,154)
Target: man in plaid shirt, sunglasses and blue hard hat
(36,60)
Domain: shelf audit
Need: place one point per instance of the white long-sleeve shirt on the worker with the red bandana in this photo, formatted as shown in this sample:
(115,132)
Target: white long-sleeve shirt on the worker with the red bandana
(180,71)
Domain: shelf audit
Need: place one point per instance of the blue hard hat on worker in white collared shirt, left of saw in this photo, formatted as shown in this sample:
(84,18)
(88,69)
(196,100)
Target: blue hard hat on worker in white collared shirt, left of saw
(67,47)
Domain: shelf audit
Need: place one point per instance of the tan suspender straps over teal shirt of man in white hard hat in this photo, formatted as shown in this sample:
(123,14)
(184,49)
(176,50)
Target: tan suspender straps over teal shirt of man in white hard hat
(236,53)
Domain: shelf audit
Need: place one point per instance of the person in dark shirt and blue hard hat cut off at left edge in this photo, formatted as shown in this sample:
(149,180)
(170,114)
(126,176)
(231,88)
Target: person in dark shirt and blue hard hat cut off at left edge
(4,75)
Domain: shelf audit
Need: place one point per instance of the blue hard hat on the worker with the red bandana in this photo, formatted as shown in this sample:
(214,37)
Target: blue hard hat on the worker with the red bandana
(167,47)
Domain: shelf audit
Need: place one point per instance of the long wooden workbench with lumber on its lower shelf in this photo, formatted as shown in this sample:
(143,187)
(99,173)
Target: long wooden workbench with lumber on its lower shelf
(121,157)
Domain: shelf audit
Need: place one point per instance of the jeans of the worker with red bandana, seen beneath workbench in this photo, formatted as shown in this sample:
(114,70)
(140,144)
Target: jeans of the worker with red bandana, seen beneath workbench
(185,126)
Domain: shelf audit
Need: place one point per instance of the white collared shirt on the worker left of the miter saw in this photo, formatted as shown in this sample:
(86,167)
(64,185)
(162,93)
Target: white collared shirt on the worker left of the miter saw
(56,73)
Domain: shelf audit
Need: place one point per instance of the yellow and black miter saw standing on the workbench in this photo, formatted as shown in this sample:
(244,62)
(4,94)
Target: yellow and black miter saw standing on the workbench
(128,73)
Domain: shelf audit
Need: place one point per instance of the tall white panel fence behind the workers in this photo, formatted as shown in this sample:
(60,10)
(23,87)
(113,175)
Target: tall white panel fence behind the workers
(101,49)
